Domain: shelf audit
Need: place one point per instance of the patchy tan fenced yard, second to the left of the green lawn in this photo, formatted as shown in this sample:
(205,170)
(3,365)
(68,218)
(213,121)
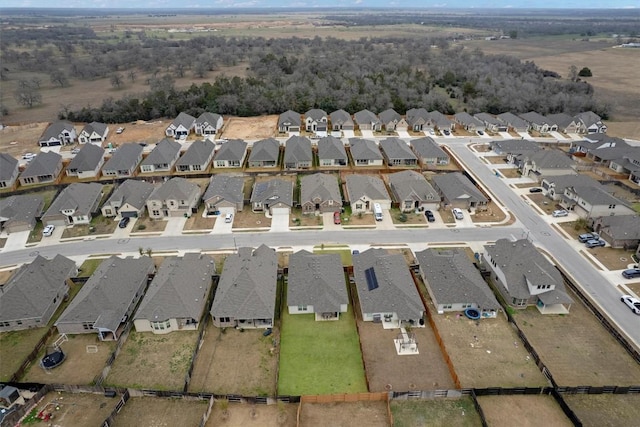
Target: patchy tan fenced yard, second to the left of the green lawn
(158,362)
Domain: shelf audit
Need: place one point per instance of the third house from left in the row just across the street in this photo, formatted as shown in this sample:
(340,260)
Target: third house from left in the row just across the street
(128,199)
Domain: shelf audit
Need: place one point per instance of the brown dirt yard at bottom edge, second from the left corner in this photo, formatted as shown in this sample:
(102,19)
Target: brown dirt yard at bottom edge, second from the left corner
(157,412)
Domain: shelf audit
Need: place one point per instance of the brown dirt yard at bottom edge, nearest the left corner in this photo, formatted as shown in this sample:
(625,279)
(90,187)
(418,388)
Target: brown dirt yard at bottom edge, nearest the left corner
(76,409)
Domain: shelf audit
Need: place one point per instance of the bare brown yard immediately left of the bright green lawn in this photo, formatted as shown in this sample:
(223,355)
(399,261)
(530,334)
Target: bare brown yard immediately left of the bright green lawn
(234,362)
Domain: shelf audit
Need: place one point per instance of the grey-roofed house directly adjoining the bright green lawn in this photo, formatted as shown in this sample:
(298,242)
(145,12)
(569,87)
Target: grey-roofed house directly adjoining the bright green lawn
(316,285)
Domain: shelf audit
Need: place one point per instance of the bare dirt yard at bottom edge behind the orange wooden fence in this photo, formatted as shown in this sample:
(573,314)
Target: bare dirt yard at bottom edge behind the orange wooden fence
(371,414)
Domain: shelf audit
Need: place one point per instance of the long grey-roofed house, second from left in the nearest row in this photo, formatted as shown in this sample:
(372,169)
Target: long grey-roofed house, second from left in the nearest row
(108,299)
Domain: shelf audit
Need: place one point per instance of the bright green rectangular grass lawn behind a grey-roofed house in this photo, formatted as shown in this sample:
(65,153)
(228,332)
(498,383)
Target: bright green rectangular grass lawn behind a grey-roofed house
(320,357)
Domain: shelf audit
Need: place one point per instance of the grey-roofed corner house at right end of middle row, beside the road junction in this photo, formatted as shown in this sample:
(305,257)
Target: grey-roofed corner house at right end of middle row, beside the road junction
(457,191)
